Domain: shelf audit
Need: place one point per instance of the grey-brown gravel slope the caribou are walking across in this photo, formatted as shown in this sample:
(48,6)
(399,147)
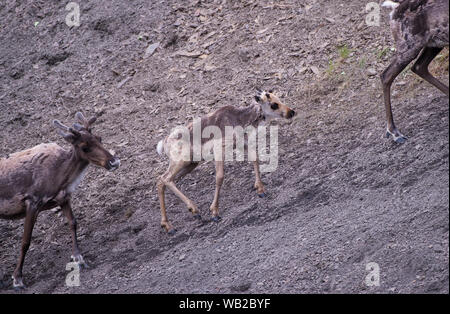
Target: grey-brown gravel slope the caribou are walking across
(342,197)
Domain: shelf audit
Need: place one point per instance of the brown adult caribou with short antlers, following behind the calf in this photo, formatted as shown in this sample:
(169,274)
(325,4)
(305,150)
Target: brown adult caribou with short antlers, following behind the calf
(45,177)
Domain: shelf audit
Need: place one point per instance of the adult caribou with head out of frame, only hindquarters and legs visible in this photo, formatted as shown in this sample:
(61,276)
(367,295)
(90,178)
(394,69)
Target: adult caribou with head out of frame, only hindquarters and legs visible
(418,26)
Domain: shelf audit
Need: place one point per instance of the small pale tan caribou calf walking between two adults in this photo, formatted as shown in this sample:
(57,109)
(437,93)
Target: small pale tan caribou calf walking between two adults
(267,106)
